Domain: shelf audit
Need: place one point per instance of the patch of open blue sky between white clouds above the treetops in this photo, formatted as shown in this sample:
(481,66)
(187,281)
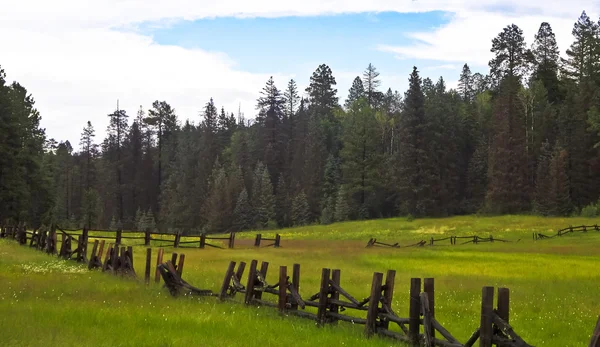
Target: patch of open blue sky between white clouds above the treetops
(297,45)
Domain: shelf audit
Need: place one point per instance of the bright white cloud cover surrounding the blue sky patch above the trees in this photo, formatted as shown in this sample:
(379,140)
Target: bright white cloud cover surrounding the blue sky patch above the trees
(70,57)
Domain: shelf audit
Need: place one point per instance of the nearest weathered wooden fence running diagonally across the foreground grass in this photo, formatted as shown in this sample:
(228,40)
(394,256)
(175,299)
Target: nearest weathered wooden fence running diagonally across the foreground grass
(329,304)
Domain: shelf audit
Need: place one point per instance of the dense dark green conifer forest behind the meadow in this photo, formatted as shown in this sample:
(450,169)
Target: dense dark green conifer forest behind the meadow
(523,137)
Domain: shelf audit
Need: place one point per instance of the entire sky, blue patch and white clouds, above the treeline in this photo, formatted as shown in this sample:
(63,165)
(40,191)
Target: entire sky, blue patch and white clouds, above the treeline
(78,57)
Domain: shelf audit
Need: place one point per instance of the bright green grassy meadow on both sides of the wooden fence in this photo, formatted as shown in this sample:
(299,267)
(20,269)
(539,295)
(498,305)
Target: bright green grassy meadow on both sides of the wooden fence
(555,296)
